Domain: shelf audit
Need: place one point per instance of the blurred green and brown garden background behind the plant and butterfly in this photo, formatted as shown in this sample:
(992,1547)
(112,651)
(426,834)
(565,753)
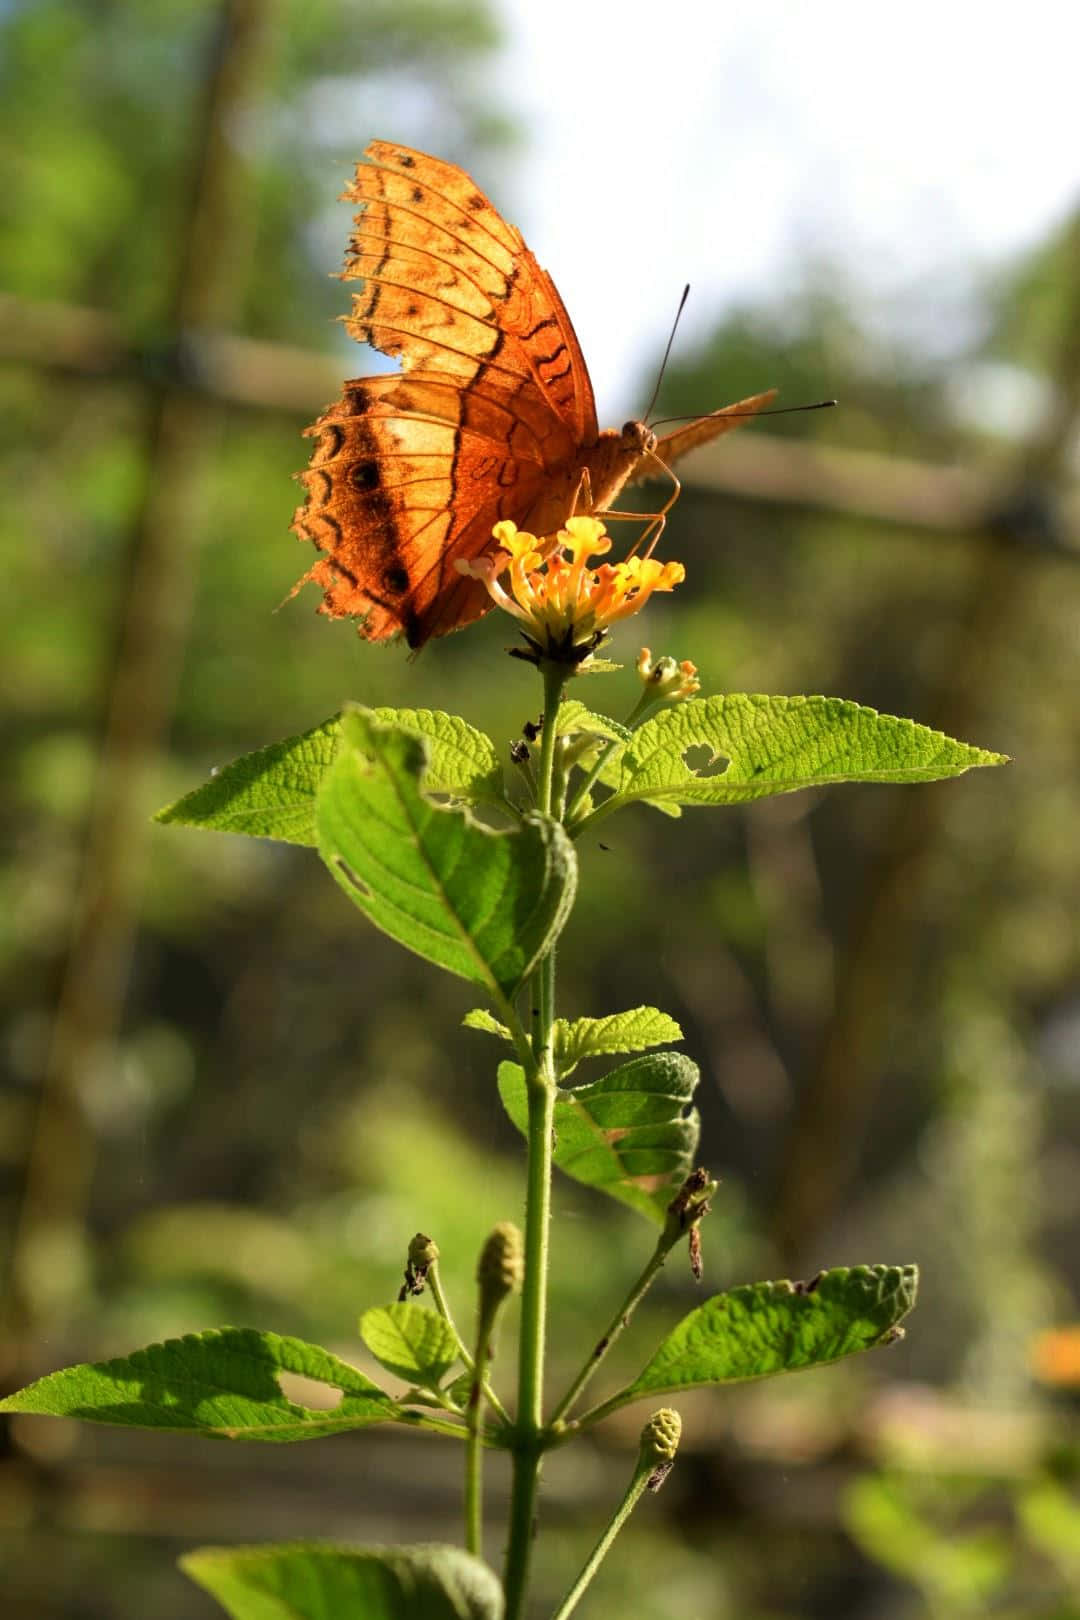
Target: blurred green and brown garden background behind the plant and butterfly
(218,1099)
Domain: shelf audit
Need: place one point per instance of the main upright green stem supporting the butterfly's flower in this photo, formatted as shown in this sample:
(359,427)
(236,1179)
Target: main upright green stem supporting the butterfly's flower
(529,1441)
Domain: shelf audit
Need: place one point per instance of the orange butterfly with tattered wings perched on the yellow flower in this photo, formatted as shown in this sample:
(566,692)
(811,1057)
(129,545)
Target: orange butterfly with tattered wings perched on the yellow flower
(491,416)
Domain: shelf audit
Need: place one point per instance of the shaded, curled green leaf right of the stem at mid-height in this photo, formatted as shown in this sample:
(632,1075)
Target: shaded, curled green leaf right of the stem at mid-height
(629,1135)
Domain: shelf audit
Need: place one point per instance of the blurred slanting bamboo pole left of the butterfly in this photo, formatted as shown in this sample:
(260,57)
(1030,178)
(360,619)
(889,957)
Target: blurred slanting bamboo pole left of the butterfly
(215,249)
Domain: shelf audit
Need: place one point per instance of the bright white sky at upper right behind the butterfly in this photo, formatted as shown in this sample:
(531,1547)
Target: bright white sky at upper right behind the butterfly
(725,145)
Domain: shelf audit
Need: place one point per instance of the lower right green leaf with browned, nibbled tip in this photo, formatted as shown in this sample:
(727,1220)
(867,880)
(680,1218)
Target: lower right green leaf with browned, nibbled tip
(778,1328)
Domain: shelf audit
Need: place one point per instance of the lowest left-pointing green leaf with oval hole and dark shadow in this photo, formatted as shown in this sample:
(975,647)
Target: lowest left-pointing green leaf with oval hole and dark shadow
(223,1383)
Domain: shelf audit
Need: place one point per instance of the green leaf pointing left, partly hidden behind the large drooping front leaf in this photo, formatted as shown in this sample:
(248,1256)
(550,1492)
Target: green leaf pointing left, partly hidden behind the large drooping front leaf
(273,793)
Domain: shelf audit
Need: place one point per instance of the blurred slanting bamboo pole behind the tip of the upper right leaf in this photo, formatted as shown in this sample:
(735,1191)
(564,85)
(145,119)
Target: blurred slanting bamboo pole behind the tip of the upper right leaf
(875,970)
